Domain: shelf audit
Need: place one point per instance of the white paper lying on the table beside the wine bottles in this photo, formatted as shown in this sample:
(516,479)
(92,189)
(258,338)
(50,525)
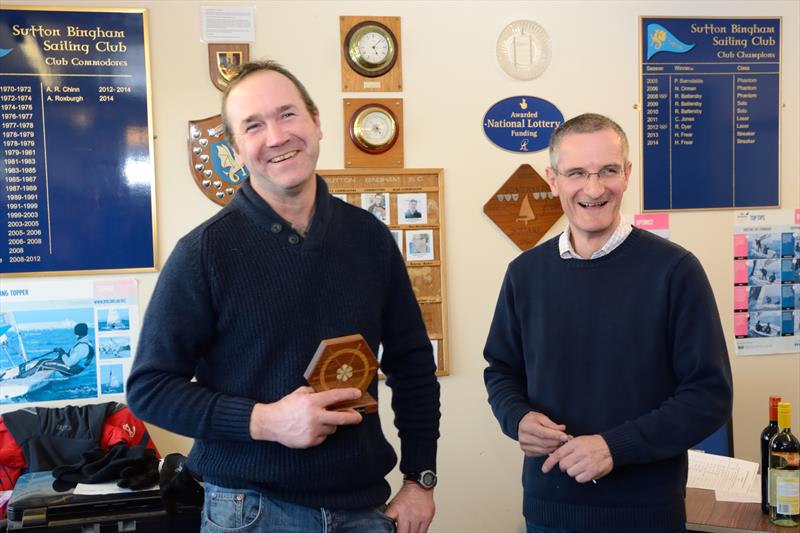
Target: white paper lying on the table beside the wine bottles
(708,471)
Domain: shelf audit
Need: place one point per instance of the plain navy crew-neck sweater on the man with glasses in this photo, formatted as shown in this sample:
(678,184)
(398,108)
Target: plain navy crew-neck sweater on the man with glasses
(628,346)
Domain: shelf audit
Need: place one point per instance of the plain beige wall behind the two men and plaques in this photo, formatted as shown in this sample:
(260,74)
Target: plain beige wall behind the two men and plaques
(451,78)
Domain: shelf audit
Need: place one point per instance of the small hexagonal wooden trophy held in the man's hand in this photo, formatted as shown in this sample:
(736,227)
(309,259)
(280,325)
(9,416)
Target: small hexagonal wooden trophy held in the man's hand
(344,362)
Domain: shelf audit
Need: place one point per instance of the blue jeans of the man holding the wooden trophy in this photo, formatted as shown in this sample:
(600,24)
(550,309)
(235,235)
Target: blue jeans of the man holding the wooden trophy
(243,510)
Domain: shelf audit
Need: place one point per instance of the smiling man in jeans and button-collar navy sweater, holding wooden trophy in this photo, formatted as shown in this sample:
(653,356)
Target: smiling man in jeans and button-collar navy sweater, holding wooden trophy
(241,306)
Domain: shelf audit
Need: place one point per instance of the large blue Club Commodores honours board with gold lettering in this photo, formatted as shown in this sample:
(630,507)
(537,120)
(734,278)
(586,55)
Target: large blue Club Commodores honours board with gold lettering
(77,181)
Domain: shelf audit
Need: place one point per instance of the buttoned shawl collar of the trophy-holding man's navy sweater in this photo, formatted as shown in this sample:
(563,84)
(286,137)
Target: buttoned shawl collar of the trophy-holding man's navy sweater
(253,205)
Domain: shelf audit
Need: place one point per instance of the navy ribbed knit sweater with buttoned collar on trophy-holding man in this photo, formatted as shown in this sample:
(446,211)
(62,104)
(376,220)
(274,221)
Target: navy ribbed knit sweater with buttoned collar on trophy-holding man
(242,304)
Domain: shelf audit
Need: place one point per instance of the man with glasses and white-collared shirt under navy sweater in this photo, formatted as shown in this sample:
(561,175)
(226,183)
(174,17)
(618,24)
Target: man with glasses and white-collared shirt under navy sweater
(607,359)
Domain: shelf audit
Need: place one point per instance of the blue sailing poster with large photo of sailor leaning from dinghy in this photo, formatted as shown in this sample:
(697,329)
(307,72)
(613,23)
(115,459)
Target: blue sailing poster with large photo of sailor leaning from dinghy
(66,341)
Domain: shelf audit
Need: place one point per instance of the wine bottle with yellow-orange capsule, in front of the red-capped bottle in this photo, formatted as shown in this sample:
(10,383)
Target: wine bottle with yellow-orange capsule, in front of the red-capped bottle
(784,472)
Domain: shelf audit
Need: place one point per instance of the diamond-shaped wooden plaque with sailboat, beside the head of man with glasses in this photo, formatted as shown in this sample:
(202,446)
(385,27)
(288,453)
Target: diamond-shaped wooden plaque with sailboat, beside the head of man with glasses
(524,207)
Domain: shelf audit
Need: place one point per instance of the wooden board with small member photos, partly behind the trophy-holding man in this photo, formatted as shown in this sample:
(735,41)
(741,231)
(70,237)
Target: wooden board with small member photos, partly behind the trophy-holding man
(411,204)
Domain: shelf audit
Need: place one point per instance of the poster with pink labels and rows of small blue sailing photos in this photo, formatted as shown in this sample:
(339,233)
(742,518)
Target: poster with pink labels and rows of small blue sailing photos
(766,249)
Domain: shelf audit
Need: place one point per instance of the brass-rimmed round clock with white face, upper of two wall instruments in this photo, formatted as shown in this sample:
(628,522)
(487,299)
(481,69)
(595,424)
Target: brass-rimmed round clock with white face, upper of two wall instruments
(370,49)
